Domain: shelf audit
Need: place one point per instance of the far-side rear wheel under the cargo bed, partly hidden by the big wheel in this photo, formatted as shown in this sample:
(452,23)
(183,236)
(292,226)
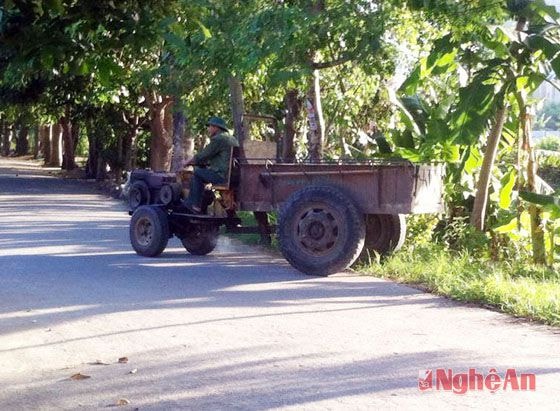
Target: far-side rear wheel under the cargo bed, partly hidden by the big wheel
(385,232)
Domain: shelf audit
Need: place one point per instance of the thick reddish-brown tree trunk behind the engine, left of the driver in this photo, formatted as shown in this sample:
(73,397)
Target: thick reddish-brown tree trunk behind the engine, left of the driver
(162,141)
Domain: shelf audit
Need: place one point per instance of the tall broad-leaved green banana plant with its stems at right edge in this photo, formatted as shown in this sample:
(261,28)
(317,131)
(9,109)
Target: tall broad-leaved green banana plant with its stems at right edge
(505,65)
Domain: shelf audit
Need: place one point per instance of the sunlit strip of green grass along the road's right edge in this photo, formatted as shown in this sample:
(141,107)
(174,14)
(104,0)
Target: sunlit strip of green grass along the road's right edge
(521,289)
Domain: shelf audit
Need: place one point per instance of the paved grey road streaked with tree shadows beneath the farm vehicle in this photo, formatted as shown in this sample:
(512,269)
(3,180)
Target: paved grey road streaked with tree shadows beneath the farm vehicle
(239,329)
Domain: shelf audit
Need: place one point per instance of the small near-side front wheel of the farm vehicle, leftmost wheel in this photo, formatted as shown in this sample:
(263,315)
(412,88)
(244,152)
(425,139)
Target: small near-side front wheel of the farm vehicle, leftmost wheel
(149,231)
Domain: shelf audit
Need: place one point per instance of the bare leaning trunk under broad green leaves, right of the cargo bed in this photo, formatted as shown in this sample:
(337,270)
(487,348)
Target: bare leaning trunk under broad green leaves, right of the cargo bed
(478,215)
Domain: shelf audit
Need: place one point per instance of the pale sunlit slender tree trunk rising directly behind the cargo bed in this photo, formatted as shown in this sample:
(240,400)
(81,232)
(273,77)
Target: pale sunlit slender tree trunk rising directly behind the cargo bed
(316,132)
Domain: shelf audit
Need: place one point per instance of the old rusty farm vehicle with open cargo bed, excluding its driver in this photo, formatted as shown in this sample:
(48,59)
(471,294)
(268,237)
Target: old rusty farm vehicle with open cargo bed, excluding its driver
(328,212)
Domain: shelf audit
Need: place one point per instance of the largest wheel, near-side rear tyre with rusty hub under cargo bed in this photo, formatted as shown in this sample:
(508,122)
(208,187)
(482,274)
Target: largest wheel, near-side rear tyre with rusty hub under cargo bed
(320,230)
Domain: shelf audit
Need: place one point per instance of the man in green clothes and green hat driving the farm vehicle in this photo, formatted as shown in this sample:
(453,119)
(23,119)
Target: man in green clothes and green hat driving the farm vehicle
(211,163)
